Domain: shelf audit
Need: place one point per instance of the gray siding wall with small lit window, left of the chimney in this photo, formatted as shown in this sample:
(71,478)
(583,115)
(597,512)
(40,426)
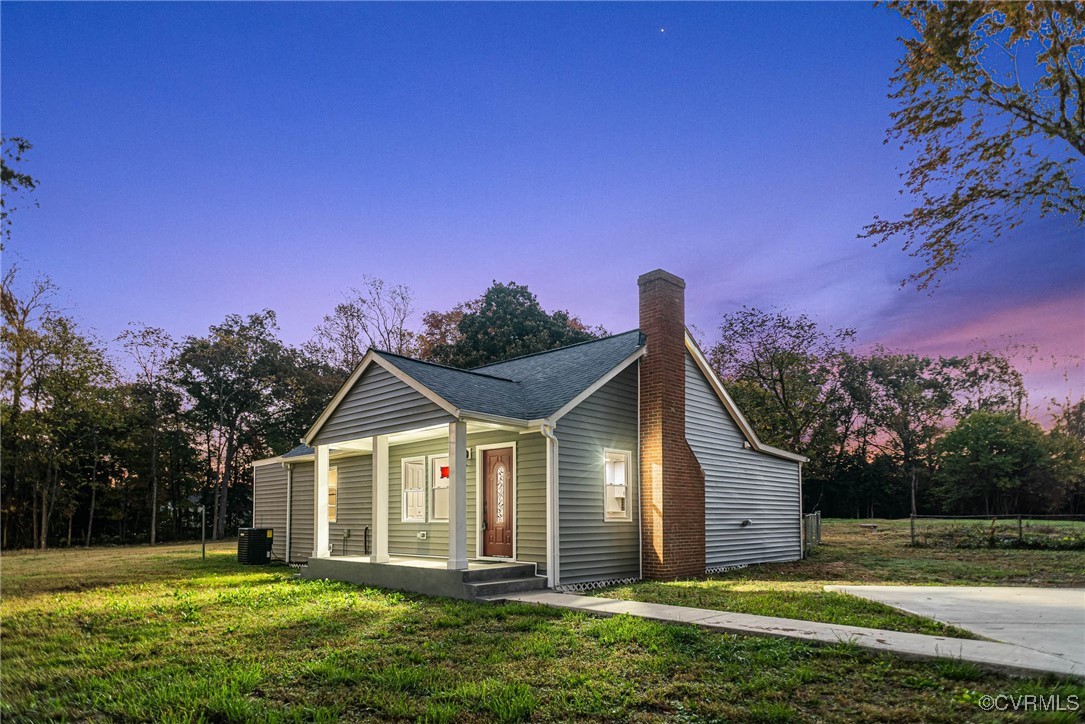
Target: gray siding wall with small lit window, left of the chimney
(592,549)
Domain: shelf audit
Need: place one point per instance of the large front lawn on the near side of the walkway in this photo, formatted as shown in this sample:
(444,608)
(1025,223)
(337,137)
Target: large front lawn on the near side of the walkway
(156,634)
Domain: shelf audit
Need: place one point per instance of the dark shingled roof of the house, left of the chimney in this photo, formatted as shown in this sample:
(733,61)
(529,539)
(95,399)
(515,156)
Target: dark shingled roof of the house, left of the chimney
(527,388)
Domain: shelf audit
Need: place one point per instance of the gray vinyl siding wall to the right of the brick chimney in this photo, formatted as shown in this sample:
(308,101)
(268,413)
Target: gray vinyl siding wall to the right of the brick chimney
(739,485)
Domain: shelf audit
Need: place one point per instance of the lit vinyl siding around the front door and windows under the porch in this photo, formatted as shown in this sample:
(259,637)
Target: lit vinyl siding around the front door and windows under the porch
(530,487)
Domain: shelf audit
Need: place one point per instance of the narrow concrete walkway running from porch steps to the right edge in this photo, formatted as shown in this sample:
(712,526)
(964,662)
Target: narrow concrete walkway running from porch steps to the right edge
(992,655)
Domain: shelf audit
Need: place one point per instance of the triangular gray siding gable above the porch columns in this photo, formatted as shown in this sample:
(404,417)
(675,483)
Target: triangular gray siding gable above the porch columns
(379,404)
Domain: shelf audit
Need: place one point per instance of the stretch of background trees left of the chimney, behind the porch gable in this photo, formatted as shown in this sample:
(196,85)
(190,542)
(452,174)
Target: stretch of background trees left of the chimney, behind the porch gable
(120,448)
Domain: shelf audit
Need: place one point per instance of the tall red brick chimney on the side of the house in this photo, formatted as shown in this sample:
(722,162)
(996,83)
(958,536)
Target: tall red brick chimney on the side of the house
(672,482)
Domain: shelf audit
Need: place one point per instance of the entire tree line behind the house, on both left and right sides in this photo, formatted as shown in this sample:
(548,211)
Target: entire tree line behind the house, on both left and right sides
(104,448)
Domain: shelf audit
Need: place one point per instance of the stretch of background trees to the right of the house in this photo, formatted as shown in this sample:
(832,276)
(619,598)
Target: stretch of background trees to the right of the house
(892,433)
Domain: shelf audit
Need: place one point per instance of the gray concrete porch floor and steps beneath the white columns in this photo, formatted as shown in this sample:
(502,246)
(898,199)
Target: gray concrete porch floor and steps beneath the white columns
(430,576)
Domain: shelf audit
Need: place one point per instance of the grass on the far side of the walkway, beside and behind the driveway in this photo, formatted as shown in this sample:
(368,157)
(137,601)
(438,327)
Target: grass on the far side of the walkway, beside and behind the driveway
(854,555)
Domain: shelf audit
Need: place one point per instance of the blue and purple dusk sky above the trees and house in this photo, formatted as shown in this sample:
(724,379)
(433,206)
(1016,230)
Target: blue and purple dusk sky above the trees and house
(198,160)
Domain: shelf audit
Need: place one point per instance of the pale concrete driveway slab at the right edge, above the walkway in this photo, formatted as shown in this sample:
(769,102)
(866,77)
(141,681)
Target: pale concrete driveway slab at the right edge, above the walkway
(1048,620)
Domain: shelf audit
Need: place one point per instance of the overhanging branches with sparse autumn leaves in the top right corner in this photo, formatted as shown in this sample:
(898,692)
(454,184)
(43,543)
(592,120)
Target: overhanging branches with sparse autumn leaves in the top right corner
(992,99)
